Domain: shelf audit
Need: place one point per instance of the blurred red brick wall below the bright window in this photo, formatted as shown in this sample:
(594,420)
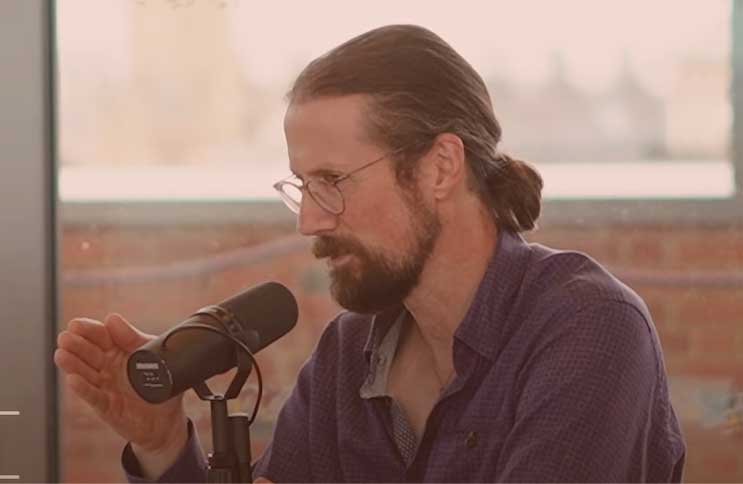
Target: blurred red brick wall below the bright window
(691,277)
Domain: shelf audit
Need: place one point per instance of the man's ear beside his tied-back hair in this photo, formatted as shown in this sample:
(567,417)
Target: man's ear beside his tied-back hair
(446,166)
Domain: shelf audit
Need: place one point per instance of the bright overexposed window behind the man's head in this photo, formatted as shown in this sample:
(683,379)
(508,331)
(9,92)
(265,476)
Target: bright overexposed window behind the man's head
(173,101)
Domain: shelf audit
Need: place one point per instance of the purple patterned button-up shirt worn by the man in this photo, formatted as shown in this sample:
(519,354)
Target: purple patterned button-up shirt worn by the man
(560,377)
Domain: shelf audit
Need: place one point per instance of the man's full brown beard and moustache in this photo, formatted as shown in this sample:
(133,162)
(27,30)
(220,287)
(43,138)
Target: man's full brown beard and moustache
(375,281)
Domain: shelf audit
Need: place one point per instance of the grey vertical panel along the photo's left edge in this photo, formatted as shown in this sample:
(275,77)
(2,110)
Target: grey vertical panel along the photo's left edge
(28,441)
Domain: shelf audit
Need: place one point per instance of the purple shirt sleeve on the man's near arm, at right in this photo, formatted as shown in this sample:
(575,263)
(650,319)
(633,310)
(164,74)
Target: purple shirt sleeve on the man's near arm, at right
(585,400)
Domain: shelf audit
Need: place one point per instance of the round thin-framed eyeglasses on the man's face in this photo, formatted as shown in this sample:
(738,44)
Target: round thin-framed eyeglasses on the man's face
(323,191)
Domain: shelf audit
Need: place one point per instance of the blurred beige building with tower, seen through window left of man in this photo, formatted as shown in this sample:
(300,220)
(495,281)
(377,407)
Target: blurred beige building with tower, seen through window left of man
(176,99)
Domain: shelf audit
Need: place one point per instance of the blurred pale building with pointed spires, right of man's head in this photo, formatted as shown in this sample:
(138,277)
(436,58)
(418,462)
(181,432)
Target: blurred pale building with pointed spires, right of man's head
(560,122)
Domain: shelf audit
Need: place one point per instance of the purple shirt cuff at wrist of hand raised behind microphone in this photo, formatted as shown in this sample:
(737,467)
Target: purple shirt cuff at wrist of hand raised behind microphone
(190,466)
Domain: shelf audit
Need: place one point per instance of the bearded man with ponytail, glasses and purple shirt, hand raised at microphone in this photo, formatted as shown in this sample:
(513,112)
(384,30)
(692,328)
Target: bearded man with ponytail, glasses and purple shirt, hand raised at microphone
(466,354)
